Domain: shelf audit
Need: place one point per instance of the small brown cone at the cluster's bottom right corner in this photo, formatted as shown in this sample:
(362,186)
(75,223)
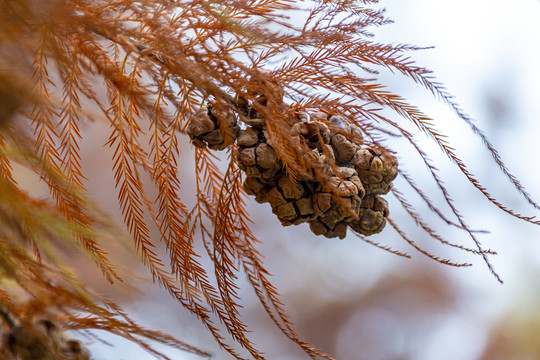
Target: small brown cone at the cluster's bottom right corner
(372,216)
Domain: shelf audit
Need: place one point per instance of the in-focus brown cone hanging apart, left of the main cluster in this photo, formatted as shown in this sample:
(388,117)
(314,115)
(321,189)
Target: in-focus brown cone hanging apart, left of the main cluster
(214,126)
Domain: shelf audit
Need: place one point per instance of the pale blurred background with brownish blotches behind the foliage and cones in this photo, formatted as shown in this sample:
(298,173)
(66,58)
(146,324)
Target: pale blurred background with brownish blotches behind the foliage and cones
(356,301)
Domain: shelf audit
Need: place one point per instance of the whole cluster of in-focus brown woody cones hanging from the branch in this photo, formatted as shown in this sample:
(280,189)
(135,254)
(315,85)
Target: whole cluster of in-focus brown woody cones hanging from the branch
(343,191)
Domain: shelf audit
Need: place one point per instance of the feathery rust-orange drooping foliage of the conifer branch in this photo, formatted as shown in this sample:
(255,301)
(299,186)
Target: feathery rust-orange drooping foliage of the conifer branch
(147,68)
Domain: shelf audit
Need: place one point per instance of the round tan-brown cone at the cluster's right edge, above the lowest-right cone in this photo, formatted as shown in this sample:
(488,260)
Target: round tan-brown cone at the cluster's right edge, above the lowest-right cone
(377,168)
